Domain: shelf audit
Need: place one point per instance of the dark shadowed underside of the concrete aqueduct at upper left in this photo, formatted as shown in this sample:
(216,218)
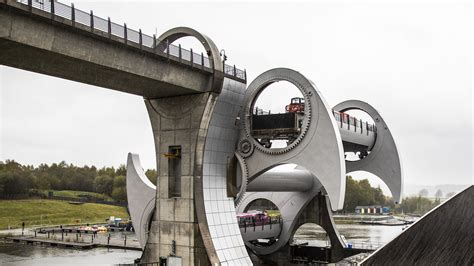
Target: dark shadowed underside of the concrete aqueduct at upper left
(27,58)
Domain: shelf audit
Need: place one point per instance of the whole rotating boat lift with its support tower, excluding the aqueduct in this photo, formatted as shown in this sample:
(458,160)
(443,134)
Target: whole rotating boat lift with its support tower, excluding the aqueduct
(214,160)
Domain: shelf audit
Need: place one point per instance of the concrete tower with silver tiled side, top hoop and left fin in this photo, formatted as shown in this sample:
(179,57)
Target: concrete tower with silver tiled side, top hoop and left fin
(195,135)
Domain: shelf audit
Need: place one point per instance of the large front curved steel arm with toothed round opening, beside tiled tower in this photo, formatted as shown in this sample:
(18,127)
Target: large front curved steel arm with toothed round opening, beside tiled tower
(319,146)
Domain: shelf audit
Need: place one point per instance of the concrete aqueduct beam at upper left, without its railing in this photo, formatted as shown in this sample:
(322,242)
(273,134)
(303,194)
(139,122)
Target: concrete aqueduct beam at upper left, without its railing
(35,42)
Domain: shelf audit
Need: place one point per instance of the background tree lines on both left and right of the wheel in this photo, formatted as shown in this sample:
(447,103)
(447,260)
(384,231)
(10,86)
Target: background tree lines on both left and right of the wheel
(18,180)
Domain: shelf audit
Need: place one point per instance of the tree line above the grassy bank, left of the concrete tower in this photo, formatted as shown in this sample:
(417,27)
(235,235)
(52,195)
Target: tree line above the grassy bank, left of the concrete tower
(18,180)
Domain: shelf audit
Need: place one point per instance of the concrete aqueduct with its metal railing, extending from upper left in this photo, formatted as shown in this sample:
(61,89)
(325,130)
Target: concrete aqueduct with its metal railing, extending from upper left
(79,46)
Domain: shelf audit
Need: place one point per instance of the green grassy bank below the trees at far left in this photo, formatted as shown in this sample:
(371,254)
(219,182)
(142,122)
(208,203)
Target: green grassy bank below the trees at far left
(36,212)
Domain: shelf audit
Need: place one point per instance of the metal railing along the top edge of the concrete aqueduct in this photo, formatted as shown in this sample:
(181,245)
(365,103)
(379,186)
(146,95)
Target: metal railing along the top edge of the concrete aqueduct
(129,35)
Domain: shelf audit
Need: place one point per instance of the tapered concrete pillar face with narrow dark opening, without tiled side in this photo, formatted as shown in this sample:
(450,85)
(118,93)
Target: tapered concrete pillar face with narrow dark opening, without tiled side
(178,122)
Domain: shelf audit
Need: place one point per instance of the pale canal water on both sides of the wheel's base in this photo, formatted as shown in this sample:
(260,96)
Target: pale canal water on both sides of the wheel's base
(22,254)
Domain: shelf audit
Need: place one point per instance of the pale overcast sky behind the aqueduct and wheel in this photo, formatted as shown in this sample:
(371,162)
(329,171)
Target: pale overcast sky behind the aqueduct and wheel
(411,61)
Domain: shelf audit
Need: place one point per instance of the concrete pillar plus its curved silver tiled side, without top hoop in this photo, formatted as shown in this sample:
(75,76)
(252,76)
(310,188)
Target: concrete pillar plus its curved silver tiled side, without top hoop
(200,220)
